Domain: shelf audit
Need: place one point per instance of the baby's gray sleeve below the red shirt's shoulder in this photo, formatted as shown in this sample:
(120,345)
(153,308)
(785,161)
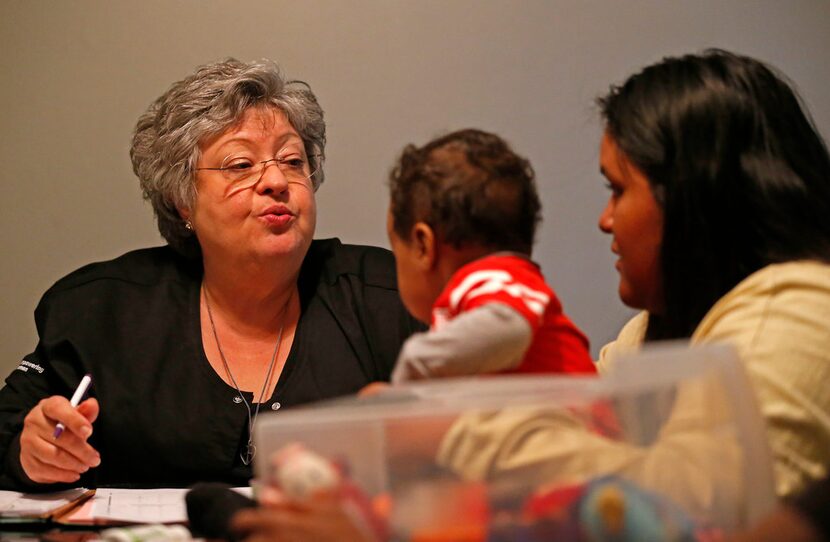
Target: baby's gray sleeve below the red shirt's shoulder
(491,338)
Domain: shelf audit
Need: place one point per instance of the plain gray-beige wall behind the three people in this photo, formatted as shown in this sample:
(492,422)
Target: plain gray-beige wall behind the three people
(75,75)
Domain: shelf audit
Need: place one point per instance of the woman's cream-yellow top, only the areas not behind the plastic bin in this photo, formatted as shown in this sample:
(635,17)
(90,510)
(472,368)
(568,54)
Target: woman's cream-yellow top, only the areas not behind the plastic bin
(779,320)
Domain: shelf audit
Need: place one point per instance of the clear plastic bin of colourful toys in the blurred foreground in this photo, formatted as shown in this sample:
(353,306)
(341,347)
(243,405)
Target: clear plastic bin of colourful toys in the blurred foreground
(670,446)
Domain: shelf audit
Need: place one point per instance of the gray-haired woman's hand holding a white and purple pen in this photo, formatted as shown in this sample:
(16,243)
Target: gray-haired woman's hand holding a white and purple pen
(53,443)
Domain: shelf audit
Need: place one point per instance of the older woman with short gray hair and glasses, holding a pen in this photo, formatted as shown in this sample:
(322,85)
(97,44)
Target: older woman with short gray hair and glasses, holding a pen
(241,313)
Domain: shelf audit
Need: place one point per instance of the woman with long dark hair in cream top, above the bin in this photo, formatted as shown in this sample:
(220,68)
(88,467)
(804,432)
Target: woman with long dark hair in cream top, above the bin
(729,182)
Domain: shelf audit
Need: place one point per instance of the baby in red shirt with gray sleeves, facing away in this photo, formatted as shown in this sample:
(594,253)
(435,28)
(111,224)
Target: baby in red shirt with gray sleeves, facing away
(461,222)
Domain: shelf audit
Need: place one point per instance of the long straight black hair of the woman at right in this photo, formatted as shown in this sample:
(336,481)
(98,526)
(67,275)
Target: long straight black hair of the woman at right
(740,171)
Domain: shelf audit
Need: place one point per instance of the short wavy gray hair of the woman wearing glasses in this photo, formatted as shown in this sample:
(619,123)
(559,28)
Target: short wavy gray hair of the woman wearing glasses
(165,145)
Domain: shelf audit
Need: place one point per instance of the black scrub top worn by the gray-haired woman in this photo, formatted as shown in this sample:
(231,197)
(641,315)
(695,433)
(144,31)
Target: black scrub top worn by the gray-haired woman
(167,419)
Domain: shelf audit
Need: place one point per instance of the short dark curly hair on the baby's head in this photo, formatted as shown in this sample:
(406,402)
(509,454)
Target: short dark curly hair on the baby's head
(471,188)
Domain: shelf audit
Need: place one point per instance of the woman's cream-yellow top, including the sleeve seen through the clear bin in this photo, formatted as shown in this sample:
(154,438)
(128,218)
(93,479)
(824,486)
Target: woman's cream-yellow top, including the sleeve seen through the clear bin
(779,321)
